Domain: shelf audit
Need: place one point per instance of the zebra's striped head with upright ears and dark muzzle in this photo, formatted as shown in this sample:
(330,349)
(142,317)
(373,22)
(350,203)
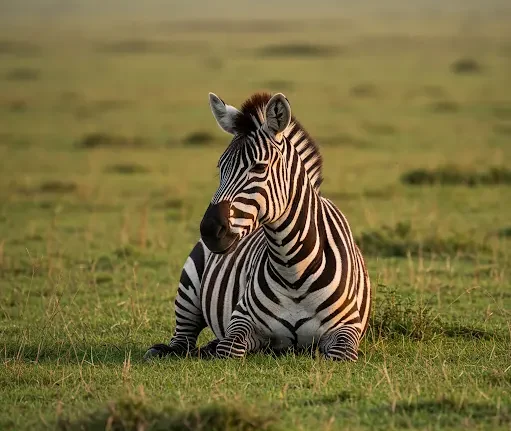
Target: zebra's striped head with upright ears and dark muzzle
(254,173)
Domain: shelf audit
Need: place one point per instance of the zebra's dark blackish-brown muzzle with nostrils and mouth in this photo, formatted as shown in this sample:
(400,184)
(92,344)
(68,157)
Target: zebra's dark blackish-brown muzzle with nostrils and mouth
(215,230)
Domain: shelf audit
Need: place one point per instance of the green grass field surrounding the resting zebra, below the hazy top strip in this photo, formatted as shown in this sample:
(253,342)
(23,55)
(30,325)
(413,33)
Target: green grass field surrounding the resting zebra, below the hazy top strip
(107,163)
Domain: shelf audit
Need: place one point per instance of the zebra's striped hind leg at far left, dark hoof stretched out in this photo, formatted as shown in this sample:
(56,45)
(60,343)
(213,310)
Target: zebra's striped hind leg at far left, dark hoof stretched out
(189,318)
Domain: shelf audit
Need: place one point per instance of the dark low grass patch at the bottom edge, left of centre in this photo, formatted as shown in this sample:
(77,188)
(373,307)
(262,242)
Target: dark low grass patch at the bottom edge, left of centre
(135,414)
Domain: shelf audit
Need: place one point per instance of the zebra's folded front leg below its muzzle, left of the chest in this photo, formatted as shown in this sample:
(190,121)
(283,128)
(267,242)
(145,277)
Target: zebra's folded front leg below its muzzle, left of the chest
(241,338)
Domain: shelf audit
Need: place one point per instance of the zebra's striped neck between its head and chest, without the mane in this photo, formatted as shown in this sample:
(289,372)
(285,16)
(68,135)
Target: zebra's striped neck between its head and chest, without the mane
(295,240)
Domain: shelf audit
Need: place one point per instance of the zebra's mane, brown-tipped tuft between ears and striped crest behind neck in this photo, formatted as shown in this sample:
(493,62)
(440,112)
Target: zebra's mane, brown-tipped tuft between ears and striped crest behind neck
(251,117)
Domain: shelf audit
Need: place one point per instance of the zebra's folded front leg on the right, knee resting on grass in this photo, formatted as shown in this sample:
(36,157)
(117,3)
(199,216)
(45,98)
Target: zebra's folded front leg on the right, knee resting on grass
(341,344)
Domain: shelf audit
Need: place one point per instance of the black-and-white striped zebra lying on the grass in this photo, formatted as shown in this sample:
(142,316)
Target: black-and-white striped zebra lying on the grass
(276,265)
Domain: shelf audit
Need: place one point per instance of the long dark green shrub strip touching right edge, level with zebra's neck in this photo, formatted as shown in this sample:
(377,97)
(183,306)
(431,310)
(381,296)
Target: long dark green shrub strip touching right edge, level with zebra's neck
(454,176)
